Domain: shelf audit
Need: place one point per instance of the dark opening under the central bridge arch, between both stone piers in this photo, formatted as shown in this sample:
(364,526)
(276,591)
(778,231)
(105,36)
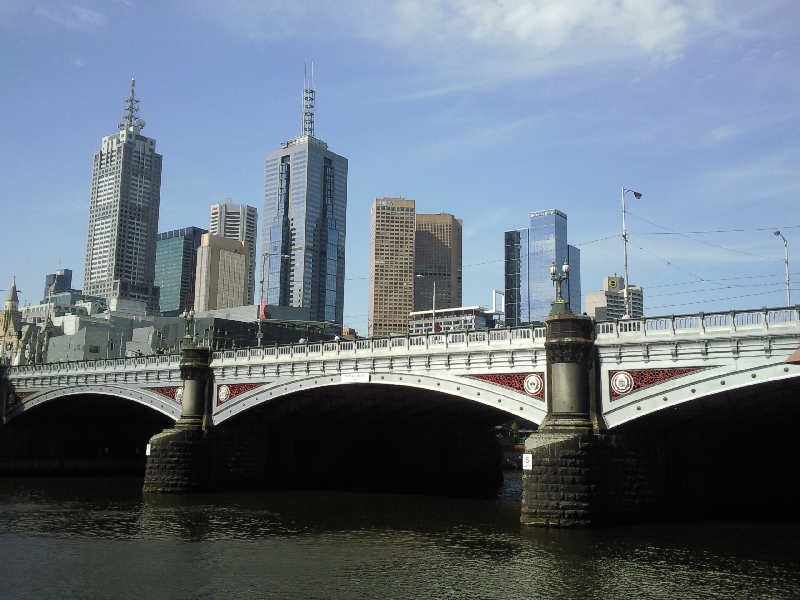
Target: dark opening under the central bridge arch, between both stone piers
(375,437)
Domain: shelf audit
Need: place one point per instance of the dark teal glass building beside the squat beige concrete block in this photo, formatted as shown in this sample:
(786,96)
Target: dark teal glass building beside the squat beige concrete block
(176,265)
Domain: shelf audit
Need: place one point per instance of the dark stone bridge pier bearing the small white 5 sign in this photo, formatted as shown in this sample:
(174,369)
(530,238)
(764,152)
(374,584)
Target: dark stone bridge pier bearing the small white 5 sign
(579,474)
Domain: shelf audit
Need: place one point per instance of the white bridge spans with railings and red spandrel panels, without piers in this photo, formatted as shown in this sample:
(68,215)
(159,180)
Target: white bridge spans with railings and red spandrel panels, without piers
(642,366)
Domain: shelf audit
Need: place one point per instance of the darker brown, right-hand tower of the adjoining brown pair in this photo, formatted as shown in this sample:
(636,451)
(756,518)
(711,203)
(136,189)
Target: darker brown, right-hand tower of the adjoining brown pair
(437,257)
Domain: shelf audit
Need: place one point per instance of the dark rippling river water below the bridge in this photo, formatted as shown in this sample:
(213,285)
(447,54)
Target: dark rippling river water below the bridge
(101,538)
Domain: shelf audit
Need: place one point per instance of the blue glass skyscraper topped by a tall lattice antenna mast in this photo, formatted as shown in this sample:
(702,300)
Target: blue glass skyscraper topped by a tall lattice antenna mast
(304,223)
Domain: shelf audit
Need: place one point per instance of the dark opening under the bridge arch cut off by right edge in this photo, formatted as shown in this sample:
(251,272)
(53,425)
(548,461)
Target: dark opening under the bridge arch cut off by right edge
(729,455)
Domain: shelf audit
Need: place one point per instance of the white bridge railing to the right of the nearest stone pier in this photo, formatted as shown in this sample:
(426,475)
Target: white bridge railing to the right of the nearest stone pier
(709,324)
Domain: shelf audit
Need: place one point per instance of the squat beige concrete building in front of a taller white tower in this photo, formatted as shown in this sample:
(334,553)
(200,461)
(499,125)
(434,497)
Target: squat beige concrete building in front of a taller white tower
(222,268)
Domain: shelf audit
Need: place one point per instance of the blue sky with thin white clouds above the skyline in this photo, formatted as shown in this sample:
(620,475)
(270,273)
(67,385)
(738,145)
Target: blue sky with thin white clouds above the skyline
(487,110)
